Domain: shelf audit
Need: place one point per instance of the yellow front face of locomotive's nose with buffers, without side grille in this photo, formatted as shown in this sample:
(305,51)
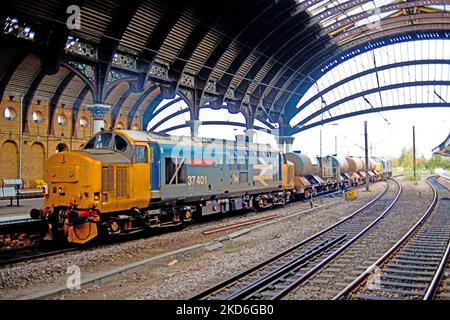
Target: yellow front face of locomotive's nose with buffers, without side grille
(72,197)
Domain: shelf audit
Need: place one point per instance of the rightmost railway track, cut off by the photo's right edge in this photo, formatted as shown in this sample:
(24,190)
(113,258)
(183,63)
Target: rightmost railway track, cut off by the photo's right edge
(415,266)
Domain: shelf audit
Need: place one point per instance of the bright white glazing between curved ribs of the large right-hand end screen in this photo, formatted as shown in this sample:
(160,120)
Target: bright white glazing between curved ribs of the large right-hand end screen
(430,49)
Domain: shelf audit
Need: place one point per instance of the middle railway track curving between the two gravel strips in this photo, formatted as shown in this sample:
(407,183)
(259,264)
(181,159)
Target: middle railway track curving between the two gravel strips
(276,277)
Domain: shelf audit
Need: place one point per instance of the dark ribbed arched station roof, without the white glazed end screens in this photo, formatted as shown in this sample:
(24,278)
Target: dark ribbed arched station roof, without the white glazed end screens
(259,56)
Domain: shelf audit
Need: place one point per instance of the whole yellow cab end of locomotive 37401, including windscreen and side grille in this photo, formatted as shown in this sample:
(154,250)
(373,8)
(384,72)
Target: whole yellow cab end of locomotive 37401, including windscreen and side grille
(91,190)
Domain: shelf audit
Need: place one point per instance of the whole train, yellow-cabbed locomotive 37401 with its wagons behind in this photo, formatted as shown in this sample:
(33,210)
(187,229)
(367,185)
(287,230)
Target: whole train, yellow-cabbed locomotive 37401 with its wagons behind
(124,181)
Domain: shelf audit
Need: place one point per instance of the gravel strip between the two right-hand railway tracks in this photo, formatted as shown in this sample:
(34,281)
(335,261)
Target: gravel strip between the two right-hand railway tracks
(412,204)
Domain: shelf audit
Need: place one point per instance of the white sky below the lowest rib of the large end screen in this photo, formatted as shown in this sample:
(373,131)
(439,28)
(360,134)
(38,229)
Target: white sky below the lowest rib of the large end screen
(432,126)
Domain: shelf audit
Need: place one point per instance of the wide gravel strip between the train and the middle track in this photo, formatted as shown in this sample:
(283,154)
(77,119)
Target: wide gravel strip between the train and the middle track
(185,274)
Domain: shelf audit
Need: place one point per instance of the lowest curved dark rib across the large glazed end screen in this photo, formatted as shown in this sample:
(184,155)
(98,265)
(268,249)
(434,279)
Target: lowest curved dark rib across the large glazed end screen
(371,110)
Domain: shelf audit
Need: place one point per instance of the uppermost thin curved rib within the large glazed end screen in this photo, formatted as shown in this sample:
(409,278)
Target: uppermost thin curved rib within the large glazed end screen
(366,72)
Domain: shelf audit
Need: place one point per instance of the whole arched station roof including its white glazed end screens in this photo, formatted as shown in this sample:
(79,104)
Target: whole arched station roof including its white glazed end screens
(288,65)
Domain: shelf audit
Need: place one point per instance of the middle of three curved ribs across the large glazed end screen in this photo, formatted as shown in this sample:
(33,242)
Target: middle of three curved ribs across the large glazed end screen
(370,91)
